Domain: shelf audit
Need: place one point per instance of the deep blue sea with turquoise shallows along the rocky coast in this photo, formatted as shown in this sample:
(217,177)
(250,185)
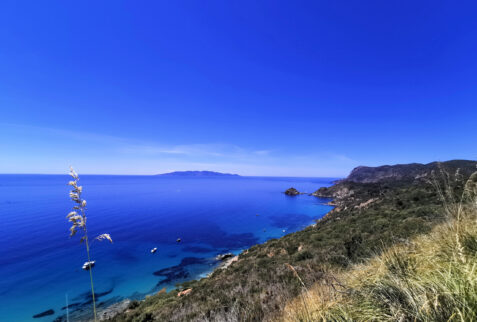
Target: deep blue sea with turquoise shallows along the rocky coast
(40,265)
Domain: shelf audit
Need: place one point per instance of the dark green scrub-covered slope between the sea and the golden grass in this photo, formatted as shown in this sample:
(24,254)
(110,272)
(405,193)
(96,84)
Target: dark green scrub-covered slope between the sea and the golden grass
(368,218)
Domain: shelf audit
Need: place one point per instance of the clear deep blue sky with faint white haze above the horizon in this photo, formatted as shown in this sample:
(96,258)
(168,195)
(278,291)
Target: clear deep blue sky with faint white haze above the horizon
(289,88)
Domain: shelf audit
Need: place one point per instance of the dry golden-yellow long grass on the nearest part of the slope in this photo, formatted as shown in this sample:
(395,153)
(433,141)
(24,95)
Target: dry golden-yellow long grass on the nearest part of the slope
(431,278)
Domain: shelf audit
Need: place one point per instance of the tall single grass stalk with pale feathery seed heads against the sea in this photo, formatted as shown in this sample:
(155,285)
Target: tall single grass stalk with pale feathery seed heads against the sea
(78,219)
